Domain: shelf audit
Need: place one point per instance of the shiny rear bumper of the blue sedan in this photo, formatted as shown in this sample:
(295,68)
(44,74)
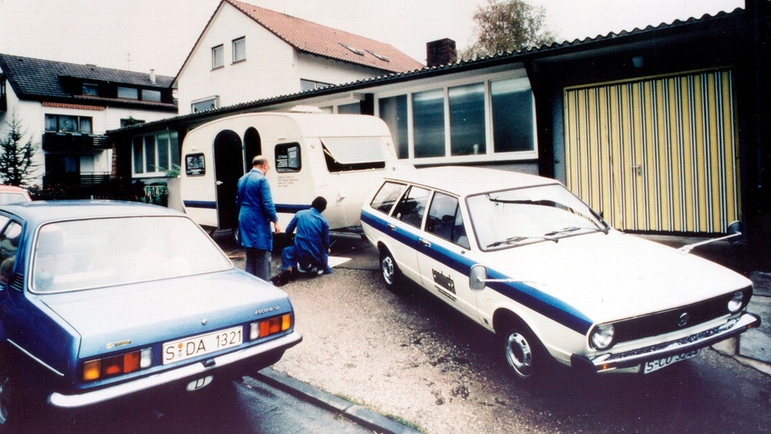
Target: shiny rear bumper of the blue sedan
(195,370)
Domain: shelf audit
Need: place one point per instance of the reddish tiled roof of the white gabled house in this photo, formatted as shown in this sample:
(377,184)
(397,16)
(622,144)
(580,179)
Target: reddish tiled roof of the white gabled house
(313,38)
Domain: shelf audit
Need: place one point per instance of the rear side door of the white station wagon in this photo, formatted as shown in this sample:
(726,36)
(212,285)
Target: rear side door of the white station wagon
(405,227)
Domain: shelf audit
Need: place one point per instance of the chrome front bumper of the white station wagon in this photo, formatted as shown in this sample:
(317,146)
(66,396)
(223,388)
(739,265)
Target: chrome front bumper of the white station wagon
(635,358)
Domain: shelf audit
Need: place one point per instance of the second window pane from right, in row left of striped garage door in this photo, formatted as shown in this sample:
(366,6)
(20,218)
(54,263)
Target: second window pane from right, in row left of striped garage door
(467,119)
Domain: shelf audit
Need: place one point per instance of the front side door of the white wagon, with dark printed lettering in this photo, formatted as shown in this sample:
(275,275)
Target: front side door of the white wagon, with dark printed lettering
(443,254)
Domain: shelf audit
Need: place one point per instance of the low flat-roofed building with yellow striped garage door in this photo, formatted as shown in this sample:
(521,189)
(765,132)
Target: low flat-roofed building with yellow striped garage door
(660,129)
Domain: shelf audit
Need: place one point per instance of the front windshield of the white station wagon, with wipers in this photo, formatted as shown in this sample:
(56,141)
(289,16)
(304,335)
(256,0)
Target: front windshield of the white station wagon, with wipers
(514,217)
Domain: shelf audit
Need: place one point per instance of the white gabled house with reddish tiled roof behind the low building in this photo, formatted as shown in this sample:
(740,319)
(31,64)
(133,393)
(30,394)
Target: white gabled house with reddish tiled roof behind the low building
(246,53)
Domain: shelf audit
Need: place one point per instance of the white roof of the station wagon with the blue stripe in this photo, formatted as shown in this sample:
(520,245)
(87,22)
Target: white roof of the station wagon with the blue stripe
(463,180)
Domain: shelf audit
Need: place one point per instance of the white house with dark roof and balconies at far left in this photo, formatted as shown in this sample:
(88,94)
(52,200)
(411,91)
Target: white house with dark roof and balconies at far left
(66,109)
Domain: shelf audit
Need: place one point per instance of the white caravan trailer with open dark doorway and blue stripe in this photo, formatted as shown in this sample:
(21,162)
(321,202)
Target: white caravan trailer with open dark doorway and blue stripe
(340,157)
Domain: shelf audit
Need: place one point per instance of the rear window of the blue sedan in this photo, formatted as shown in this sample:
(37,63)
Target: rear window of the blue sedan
(92,253)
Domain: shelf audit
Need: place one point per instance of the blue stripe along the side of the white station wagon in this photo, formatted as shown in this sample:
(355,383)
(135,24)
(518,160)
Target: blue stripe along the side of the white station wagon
(520,292)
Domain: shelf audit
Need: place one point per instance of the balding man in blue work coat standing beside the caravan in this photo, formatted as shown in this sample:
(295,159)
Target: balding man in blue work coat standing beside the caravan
(256,212)
